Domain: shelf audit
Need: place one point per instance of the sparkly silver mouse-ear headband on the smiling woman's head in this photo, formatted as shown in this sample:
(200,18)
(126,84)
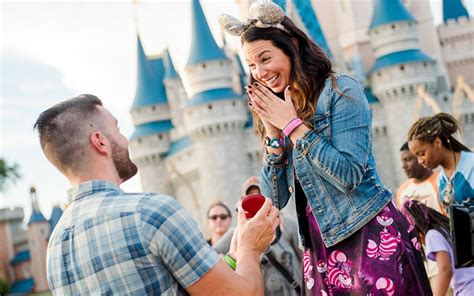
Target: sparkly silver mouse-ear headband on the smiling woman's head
(262,14)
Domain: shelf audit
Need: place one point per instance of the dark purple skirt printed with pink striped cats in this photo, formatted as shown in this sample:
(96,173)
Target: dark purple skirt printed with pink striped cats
(382,258)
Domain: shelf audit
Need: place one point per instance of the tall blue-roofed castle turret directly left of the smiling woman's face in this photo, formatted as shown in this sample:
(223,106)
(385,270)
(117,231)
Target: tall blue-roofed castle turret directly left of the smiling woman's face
(214,116)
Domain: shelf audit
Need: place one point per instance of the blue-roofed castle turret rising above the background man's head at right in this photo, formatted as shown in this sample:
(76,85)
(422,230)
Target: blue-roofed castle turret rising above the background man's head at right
(400,68)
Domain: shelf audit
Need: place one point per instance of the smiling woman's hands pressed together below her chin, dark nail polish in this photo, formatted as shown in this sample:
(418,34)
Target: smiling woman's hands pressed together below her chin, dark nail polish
(269,107)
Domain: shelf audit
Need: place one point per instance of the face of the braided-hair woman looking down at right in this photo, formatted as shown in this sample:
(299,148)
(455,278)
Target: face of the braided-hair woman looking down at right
(428,154)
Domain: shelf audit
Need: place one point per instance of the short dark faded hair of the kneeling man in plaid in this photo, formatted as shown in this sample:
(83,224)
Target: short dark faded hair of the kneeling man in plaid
(64,129)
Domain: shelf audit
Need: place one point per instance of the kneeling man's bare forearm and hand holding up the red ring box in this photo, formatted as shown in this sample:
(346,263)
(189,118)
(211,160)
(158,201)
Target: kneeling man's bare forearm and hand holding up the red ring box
(253,238)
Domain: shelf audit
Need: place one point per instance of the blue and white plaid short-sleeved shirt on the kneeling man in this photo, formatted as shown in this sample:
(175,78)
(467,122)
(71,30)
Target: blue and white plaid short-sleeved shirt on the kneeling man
(111,242)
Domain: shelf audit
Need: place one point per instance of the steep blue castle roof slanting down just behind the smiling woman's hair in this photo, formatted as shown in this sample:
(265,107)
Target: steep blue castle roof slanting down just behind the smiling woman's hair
(309,18)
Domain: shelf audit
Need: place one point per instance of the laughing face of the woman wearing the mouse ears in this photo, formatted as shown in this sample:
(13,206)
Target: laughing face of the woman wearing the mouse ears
(268,64)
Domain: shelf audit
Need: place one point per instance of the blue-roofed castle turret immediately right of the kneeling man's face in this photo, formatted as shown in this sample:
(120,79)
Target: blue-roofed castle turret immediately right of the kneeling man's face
(151,117)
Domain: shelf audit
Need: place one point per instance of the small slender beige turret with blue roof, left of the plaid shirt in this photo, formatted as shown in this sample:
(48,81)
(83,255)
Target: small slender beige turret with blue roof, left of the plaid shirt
(38,234)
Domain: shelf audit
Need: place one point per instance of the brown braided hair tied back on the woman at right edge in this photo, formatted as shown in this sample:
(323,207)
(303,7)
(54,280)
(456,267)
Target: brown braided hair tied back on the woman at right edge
(442,126)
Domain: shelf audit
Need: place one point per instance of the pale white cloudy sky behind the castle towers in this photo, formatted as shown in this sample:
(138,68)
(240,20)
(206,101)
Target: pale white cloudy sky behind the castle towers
(54,50)
